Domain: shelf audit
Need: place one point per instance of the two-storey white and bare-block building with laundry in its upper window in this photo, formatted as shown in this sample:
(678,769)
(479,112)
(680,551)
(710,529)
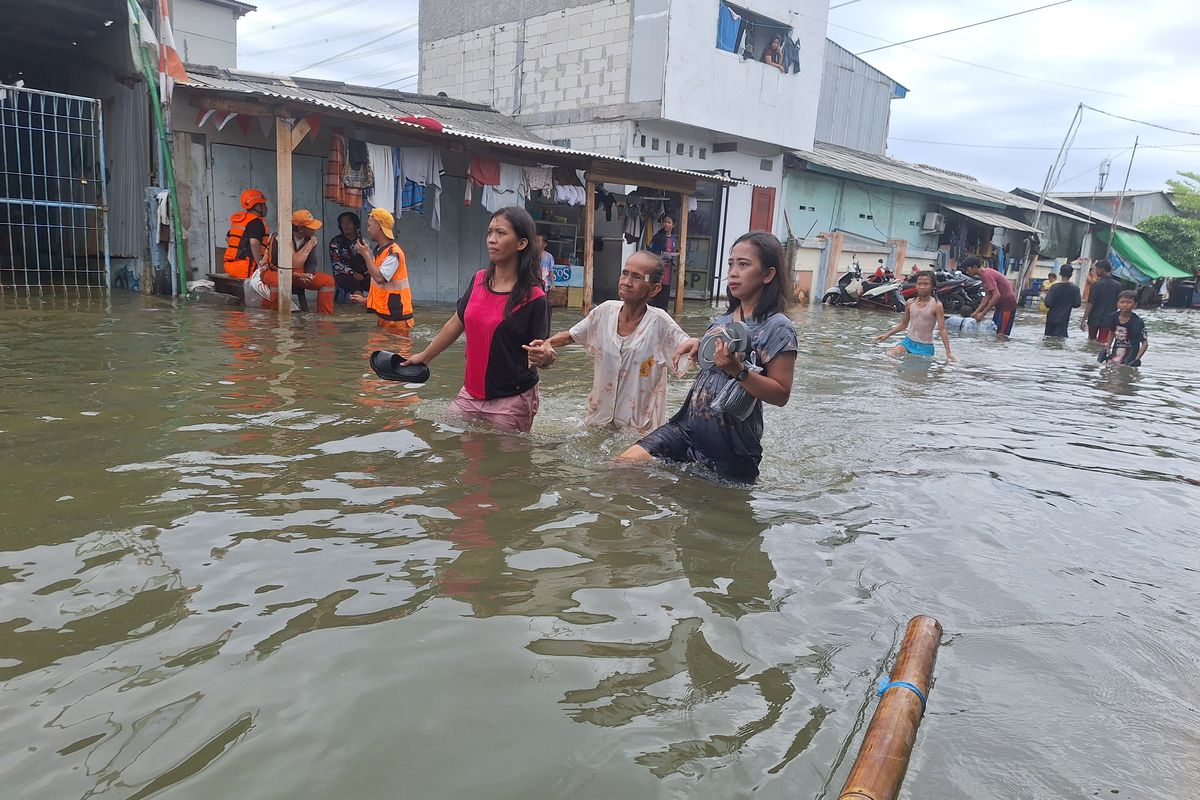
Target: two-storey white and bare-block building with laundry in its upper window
(668,82)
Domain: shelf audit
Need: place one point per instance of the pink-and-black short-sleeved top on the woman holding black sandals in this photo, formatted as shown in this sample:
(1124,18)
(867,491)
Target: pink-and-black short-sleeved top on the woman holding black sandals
(497,365)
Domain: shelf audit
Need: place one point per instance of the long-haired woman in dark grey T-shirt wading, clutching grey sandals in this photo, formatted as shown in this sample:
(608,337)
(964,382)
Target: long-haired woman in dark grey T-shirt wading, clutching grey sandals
(731,446)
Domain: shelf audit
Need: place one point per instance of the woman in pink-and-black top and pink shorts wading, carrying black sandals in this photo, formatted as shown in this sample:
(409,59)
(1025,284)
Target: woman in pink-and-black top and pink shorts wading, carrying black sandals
(503,309)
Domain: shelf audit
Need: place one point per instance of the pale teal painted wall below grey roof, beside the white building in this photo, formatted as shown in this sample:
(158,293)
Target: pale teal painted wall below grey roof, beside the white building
(817,203)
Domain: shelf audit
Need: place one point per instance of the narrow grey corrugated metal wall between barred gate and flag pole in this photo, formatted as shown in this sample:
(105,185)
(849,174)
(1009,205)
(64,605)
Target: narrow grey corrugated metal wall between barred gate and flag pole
(128,133)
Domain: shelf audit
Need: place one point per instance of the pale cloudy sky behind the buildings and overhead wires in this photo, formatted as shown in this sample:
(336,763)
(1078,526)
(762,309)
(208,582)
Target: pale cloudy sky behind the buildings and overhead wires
(993,101)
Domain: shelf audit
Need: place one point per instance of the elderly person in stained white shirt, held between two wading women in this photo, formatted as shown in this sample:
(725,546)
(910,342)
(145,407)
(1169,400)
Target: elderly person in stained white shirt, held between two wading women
(632,345)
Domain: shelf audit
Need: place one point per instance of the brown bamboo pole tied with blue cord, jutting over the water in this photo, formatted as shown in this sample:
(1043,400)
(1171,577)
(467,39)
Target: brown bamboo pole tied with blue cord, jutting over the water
(884,757)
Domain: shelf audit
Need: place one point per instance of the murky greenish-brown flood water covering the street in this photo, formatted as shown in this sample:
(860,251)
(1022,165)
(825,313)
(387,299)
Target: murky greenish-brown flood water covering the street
(237,566)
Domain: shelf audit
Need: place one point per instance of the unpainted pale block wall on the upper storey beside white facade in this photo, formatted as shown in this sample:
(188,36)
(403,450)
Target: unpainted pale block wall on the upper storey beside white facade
(574,58)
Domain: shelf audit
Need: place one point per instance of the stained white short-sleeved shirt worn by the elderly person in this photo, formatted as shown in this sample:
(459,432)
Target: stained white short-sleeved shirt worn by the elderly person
(629,380)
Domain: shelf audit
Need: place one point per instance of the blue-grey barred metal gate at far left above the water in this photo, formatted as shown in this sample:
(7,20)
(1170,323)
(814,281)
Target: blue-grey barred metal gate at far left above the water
(53,199)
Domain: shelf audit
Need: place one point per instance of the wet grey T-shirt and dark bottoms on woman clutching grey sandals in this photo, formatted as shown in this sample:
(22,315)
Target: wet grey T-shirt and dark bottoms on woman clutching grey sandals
(699,434)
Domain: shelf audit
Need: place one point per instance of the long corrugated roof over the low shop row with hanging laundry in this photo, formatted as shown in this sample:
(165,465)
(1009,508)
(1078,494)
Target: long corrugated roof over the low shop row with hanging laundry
(461,121)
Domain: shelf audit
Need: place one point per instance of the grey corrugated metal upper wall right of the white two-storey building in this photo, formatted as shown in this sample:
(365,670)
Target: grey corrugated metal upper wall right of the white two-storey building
(856,104)
